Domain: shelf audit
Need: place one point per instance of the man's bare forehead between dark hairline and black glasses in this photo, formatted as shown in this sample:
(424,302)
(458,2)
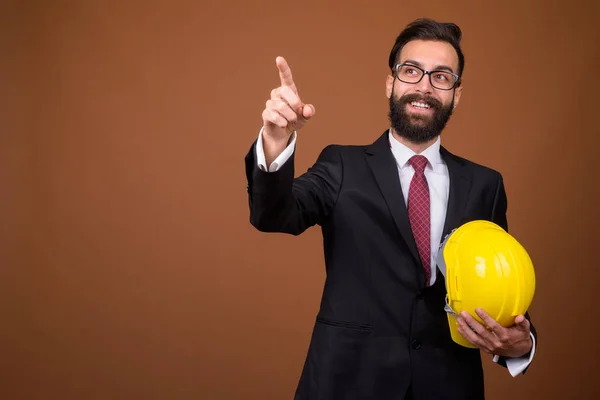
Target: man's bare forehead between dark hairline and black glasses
(430,54)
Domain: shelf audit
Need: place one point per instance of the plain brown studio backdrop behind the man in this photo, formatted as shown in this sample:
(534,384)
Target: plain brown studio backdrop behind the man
(128,267)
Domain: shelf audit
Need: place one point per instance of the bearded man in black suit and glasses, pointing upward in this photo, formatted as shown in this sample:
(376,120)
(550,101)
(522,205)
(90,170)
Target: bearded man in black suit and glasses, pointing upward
(381,332)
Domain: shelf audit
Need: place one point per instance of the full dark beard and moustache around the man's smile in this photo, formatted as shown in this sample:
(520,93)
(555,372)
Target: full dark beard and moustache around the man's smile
(418,129)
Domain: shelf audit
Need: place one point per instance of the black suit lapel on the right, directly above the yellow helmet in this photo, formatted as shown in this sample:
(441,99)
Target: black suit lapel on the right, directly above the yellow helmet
(460,184)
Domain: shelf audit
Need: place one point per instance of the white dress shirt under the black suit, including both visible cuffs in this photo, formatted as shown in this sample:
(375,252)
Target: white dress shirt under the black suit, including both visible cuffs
(438,180)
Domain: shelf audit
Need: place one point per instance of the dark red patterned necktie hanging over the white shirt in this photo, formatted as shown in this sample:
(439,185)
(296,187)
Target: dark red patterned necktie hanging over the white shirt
(418,212)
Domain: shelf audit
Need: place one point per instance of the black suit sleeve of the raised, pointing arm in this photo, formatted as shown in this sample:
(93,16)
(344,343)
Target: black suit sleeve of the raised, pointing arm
(281,203)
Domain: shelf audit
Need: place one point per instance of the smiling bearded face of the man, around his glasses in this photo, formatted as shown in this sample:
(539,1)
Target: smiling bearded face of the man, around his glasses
(419,112)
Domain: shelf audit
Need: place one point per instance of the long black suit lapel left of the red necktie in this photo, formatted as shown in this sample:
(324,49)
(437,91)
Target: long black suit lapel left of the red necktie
(385,171)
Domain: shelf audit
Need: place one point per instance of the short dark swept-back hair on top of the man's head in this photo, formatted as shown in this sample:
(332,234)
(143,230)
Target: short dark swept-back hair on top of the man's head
(428,29)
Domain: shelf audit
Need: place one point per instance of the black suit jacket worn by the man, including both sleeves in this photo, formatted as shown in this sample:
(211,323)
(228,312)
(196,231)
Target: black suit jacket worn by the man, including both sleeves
(379,329)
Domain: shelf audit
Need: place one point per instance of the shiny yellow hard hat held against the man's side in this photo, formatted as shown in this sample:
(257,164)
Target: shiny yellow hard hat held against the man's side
(486,268)
